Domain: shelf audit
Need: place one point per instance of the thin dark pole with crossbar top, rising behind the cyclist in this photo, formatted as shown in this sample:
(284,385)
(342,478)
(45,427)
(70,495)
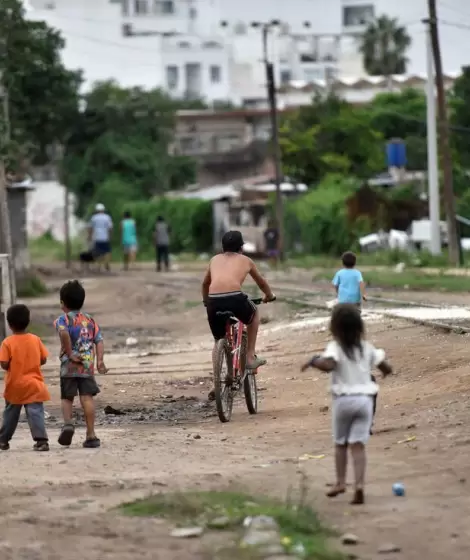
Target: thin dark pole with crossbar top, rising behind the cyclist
(271,89)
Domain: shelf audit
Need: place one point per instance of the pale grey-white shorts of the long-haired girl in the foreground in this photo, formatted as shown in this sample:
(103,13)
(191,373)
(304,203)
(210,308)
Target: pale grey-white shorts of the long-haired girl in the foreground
(352,418)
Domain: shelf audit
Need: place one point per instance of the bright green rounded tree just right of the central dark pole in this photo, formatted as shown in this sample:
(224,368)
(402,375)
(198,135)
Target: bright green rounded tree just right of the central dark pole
(330,136)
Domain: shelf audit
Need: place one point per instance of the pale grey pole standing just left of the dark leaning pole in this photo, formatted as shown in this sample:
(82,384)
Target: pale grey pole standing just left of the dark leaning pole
(433,164)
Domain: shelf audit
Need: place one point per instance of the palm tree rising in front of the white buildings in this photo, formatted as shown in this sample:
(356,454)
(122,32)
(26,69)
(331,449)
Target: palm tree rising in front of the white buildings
(383,46)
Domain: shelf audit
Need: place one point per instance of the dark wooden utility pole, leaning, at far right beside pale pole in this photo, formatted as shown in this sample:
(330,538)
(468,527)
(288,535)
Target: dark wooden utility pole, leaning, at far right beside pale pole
(446,156)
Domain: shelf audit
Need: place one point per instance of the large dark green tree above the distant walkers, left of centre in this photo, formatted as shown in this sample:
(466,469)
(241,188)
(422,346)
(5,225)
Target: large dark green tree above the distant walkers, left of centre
(123,136)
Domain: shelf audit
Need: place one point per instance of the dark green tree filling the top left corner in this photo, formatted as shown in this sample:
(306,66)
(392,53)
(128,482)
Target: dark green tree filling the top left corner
(43,96)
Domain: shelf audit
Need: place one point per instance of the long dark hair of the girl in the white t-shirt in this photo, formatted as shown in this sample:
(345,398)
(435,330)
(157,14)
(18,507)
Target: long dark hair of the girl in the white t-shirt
(347,328)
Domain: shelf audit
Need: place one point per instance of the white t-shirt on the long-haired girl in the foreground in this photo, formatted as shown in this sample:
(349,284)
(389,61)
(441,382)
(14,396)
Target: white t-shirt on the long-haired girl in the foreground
(352,377)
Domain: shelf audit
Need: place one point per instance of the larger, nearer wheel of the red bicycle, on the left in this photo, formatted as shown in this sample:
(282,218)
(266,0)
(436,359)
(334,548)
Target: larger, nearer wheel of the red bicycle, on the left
(223,376)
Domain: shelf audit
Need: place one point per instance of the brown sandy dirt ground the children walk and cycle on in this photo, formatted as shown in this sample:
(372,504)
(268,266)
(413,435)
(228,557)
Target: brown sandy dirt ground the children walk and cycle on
(60,504)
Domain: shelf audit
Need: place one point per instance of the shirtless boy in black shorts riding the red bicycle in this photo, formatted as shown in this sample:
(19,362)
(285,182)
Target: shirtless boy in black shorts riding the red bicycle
(222,291)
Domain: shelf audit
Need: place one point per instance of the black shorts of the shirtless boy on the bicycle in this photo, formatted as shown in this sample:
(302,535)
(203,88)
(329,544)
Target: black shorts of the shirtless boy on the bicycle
(237,303)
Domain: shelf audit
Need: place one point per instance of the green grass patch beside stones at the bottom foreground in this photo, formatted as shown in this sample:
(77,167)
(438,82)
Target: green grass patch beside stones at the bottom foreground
(298,524)
